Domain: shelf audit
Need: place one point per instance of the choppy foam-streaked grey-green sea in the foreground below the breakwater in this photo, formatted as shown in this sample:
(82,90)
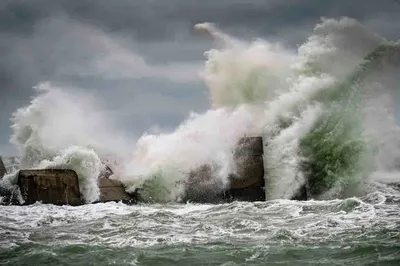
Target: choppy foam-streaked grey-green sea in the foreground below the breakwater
(354,231)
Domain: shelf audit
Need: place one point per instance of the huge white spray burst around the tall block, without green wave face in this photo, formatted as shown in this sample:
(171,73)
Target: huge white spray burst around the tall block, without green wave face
(286,95)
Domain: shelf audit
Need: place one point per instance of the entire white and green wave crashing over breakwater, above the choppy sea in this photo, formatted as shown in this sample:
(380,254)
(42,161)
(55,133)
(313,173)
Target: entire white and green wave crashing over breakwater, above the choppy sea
(325,112)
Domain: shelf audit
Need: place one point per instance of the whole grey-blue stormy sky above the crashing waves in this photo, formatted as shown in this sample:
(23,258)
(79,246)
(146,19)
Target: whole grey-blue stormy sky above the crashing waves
(141,57)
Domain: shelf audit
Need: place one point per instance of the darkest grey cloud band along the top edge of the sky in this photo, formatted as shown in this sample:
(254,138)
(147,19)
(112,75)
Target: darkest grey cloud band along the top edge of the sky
(160,20)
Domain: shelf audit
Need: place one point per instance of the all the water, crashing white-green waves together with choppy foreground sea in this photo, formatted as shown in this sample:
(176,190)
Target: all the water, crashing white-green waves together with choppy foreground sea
(326,113)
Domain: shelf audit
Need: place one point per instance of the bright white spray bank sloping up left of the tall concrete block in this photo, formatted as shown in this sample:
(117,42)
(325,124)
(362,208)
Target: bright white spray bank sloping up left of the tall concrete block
(161,163)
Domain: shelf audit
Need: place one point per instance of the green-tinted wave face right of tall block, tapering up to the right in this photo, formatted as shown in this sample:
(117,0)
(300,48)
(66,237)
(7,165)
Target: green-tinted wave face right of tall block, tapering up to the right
(339,154)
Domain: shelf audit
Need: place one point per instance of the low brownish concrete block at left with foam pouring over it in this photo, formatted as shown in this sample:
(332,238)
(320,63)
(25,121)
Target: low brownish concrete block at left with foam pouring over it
(57,187)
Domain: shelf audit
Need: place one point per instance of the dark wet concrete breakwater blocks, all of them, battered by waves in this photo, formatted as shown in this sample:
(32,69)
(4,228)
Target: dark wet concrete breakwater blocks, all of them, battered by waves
(62,187)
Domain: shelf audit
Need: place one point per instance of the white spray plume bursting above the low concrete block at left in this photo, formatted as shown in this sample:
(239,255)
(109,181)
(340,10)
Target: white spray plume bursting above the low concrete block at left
(64,129)
